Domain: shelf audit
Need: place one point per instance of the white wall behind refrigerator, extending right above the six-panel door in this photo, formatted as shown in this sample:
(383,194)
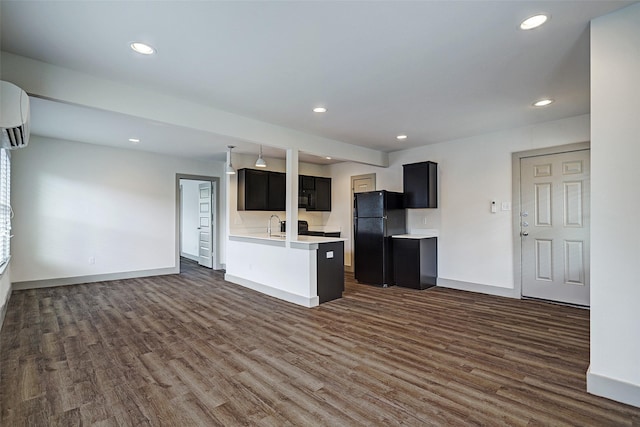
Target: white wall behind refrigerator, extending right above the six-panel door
(474,247)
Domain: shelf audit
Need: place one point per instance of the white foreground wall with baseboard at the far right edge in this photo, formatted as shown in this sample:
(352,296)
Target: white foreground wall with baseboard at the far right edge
(615,225)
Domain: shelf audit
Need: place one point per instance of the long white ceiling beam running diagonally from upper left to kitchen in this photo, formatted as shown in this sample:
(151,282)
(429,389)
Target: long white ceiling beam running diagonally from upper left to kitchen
(66,85)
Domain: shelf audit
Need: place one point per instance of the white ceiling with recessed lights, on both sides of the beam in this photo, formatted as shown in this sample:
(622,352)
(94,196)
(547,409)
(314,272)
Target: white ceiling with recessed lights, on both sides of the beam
(434,70)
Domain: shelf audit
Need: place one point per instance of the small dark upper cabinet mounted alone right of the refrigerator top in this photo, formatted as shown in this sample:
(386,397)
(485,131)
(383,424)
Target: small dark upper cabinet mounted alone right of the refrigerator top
(420,184)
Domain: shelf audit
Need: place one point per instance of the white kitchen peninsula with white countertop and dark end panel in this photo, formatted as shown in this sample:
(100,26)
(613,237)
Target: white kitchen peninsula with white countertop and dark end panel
(305,270)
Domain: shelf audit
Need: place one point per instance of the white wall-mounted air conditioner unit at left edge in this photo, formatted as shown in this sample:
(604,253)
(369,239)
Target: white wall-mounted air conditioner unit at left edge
(14,116)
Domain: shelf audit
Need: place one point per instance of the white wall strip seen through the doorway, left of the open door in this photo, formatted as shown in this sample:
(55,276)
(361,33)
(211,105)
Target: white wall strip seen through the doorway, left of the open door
(190,218)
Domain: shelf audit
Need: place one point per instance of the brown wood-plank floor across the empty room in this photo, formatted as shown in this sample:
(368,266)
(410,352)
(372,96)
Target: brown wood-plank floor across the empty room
(192,349)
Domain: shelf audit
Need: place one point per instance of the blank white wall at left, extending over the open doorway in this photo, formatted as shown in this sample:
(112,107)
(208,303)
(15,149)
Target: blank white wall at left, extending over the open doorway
(75,203)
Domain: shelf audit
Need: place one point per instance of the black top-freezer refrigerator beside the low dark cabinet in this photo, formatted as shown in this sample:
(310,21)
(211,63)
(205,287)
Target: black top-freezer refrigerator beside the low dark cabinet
(377,216)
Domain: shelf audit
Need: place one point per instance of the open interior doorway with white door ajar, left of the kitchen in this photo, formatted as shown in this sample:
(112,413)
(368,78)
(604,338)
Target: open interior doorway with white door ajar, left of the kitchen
(198,222)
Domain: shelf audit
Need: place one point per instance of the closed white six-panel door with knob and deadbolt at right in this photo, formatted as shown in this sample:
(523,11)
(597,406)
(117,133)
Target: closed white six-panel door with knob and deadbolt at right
(554,225)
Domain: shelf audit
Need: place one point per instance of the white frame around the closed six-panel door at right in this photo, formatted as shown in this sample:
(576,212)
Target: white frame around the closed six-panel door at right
(515,201)
